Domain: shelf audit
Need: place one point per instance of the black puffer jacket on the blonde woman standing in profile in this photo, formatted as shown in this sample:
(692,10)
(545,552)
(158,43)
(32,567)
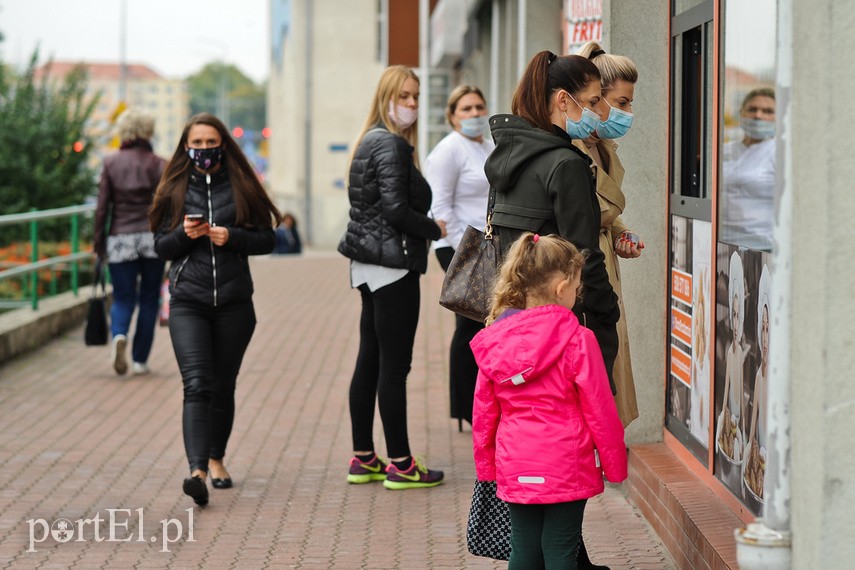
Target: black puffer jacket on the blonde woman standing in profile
(389,201)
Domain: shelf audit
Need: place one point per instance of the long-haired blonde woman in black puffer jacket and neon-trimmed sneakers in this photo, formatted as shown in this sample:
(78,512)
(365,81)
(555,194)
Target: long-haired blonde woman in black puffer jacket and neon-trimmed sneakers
(387,243)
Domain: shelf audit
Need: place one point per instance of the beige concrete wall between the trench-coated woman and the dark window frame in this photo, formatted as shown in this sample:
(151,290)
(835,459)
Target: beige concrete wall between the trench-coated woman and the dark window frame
(644,154)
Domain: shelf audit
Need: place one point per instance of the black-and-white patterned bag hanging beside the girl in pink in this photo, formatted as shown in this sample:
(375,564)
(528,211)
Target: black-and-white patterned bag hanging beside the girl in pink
(488,532)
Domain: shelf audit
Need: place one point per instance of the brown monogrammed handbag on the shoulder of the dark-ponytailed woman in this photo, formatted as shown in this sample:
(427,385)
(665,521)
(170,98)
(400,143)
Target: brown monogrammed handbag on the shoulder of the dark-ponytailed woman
(468,285)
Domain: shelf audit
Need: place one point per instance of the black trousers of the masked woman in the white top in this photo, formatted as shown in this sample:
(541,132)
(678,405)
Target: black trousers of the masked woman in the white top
(462,368)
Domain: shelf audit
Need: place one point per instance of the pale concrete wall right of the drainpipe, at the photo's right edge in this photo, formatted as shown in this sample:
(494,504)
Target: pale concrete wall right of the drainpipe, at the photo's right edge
(823,306)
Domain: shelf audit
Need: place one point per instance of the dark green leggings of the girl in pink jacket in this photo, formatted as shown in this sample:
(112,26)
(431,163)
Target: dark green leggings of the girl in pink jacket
(545,536)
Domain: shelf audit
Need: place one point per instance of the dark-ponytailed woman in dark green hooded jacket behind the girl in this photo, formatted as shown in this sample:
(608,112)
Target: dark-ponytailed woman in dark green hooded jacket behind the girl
(545,185)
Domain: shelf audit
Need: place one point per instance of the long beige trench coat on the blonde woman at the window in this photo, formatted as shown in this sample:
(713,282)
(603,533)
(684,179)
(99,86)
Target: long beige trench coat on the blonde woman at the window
(612,203)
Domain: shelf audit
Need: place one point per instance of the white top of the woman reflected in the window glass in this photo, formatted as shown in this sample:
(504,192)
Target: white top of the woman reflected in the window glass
(747,203)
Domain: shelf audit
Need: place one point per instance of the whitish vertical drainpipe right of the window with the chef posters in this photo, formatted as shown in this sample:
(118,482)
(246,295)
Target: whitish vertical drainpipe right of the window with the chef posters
(766,544)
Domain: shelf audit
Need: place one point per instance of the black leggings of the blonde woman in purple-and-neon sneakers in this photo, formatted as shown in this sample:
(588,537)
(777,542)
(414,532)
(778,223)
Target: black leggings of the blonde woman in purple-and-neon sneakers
(387,330)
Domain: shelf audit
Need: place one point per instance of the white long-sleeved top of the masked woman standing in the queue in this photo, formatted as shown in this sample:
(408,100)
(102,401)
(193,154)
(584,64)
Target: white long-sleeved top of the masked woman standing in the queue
(455,171)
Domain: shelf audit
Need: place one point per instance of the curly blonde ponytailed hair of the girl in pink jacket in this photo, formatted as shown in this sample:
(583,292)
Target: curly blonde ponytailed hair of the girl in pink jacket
(527,269)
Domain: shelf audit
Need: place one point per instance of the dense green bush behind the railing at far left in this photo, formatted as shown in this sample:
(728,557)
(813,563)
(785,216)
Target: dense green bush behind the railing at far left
(43,145)
